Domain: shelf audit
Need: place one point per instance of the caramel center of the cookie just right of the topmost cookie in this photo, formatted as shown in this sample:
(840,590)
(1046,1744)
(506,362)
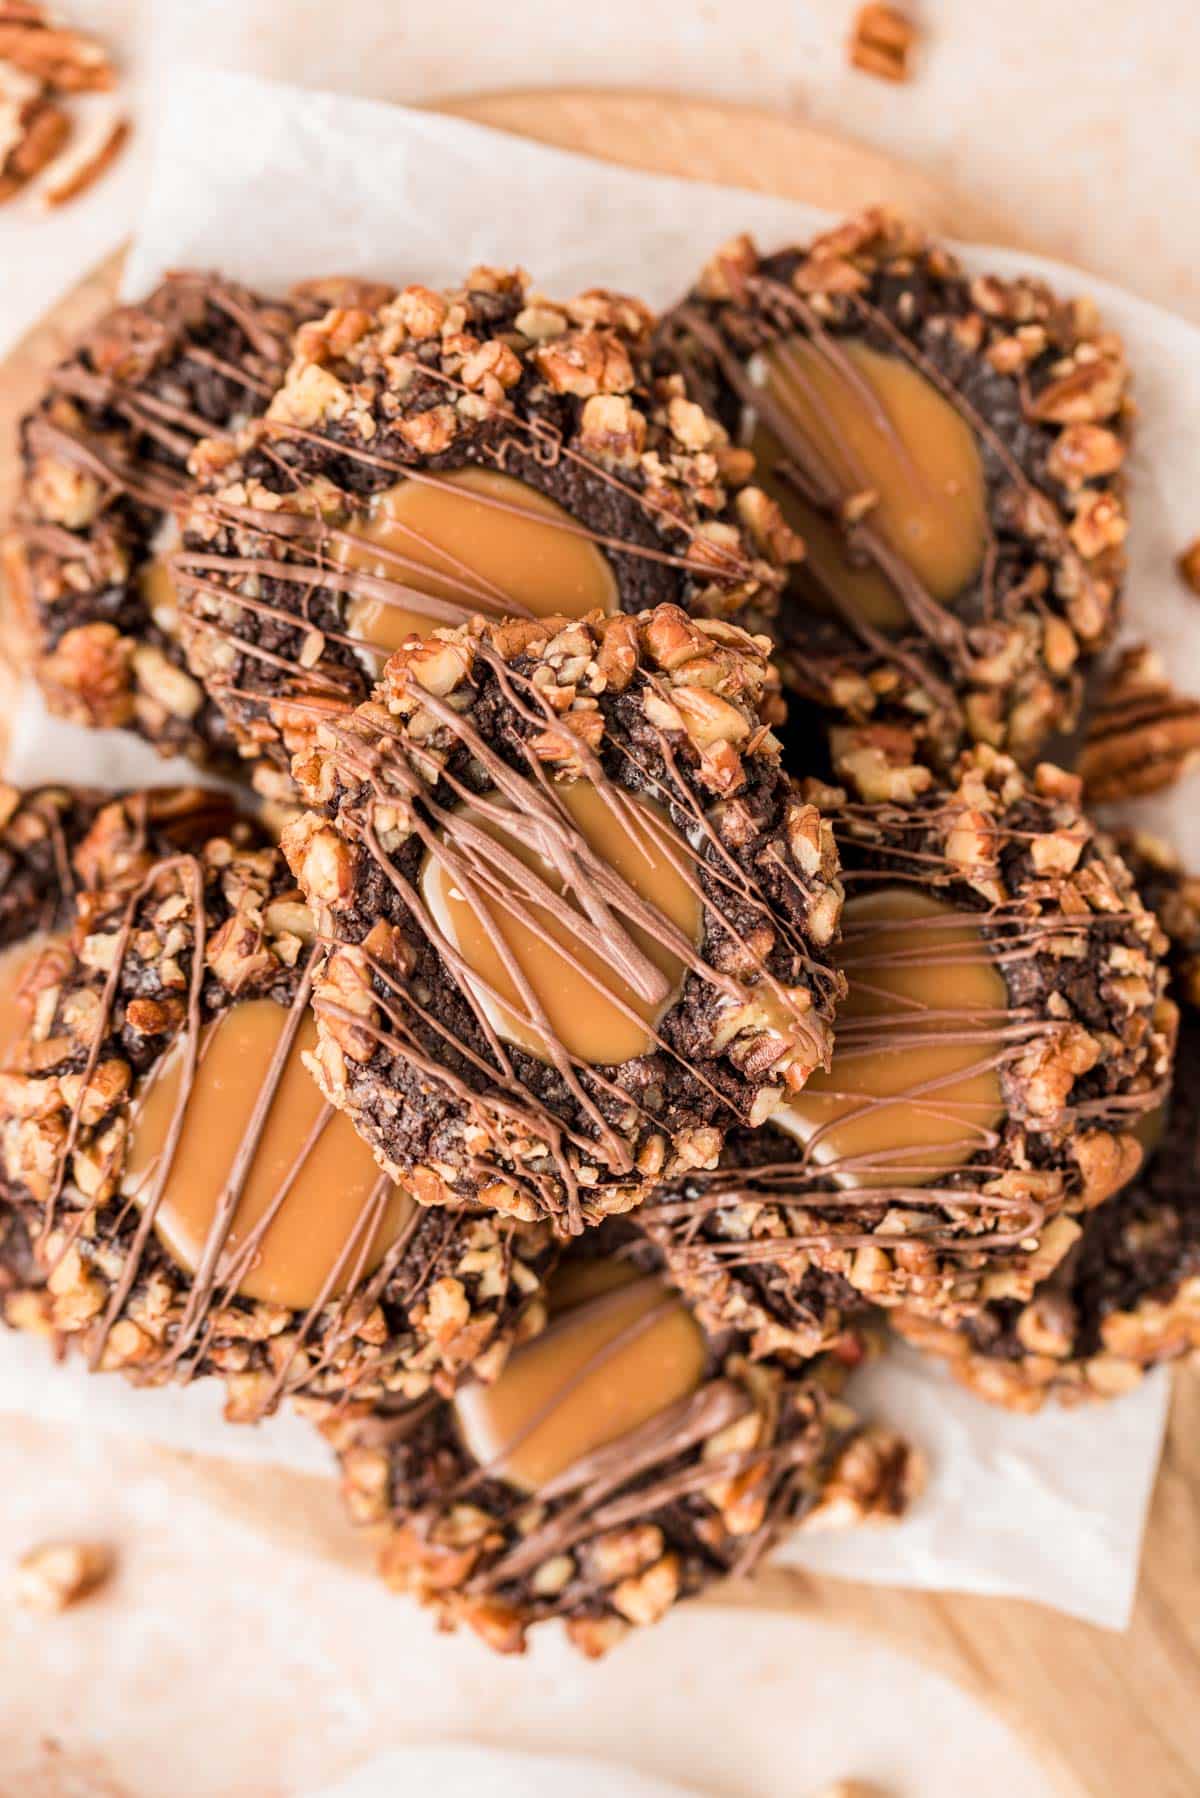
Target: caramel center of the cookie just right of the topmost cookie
(915,1089)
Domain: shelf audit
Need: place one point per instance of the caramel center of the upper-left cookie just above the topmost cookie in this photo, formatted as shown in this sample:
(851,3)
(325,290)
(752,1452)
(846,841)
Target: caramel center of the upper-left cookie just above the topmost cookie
(478,540)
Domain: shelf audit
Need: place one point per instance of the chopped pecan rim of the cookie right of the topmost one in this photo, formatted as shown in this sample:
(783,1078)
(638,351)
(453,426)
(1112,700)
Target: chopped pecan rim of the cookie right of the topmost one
(1082,1058)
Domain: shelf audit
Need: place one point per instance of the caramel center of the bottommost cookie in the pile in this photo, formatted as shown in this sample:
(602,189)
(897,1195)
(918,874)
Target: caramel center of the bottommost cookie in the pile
(620,1351)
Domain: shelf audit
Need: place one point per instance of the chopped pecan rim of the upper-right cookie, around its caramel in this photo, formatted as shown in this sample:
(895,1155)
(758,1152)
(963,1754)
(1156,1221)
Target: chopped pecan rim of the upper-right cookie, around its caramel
(1044,389)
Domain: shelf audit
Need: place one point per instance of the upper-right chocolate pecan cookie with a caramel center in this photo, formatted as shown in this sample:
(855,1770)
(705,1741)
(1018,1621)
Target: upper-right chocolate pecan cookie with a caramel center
(953,452)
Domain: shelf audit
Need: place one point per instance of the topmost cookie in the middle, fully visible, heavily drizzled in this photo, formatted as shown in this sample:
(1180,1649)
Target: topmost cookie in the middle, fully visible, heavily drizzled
(580,914)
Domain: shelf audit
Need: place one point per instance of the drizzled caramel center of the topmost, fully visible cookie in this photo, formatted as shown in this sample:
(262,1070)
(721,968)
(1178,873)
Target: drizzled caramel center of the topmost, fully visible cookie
(596,965)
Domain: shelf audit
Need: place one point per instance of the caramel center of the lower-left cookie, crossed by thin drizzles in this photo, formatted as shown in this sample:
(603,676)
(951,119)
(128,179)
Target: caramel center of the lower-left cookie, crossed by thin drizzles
(312,1191)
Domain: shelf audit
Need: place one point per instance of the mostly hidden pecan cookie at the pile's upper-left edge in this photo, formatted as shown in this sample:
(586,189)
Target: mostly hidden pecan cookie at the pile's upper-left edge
(105,459)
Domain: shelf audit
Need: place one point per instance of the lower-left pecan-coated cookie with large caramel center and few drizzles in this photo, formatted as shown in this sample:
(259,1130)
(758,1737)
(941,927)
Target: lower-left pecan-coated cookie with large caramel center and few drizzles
(193,1202)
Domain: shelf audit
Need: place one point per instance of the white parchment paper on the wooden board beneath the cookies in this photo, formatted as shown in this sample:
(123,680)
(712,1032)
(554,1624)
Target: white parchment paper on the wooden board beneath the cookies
(296,184)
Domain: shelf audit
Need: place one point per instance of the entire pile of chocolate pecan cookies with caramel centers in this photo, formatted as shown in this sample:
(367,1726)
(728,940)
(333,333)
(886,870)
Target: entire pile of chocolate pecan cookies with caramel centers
(656,948)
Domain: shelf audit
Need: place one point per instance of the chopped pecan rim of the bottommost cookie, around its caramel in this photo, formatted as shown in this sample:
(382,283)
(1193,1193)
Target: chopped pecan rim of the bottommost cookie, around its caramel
(631,1527)
